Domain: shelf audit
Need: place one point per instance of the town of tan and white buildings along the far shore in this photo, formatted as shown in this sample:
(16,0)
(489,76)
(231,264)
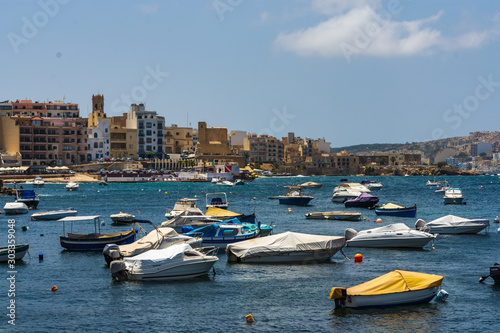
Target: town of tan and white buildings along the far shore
(54,134)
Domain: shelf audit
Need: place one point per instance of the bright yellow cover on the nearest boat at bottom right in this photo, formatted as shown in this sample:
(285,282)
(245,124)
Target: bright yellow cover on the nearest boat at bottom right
(396,282)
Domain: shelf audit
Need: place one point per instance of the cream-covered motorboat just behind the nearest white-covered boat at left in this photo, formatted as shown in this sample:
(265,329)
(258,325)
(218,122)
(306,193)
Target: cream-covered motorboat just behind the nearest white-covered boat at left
(158,238)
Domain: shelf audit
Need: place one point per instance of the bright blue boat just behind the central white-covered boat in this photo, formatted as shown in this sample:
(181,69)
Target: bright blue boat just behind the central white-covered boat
(221,234)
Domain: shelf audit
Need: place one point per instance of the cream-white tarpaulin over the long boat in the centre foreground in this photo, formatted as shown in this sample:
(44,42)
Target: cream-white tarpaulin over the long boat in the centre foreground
(286,242)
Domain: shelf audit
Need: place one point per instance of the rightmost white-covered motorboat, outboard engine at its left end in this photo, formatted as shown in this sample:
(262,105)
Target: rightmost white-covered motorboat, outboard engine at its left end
(451,224)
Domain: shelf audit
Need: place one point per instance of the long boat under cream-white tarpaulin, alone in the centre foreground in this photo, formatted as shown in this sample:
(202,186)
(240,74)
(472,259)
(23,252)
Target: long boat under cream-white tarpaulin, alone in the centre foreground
(287,247)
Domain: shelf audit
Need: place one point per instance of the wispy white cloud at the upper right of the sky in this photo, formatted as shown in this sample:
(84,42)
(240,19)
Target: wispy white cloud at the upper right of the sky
(363,30)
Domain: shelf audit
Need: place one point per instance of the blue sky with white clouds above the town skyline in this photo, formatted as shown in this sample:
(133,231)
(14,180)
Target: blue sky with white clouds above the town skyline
(352,72)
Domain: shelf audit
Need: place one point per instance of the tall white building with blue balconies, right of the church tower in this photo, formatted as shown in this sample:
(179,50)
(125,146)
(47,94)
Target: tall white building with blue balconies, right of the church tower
(150,131)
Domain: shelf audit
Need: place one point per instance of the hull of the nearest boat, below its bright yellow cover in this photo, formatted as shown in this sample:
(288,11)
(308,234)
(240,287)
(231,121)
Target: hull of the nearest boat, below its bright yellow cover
(395,299)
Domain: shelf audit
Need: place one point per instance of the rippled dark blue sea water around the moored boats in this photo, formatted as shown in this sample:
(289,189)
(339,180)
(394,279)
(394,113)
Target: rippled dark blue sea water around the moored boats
(281,298)
